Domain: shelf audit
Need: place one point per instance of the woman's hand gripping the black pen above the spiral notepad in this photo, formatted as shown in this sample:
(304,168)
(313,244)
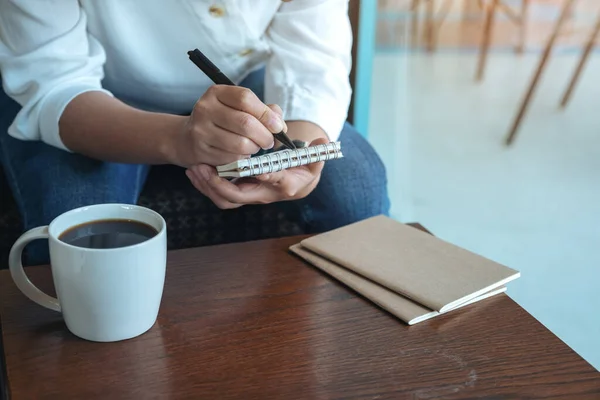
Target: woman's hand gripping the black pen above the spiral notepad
(227,123)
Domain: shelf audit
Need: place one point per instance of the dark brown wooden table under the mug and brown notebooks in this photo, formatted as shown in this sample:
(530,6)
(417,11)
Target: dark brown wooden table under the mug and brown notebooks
(252,321)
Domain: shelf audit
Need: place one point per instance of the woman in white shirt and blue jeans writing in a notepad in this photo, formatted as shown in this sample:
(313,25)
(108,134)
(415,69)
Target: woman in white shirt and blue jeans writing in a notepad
(98,91)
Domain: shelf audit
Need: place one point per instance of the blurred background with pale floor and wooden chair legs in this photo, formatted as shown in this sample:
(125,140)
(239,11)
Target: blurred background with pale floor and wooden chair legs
(448,81)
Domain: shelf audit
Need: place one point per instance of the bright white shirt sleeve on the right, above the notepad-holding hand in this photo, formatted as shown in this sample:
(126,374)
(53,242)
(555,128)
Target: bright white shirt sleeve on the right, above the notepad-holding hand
(308,72)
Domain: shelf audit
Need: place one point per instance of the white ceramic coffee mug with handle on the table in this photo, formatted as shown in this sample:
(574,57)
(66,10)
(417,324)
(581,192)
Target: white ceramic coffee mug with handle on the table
(105,295)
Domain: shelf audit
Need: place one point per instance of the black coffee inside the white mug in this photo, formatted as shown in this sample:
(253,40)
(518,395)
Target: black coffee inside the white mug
(108,234)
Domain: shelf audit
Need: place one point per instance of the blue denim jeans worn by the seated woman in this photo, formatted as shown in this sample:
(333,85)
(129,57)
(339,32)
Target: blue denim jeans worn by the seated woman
(46,181)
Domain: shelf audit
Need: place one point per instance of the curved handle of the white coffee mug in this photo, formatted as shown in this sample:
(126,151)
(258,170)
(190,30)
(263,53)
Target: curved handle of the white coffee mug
(18,273)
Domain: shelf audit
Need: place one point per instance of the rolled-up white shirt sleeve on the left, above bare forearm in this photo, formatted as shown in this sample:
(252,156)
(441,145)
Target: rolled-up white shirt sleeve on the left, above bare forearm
(46,59)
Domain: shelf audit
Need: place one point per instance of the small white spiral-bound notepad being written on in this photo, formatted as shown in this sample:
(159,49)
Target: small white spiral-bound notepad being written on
(280,160)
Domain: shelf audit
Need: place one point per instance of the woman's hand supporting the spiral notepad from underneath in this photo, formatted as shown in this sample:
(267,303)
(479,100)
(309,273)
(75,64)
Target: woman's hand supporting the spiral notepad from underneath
(291,184)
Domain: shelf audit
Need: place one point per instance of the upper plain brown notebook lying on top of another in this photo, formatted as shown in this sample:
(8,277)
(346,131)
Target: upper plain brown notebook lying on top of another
(415,264)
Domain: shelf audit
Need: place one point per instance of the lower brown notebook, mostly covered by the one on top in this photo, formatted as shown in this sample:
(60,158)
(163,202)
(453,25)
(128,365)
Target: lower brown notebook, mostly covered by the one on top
(399,306)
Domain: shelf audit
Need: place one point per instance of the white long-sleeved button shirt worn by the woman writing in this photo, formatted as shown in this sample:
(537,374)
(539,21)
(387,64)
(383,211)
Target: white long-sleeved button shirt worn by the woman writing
(53,50)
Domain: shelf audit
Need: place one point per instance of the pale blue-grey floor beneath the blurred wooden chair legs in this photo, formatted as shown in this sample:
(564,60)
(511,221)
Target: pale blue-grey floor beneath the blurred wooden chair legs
(534,206)
